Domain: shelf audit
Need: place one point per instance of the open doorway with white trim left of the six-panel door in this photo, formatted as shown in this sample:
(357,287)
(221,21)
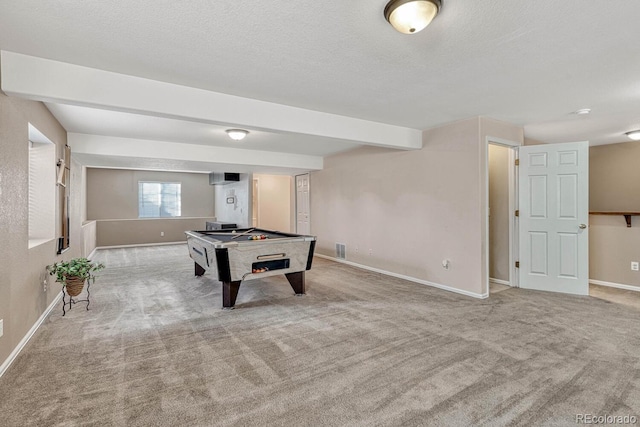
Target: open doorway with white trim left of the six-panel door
(501,215)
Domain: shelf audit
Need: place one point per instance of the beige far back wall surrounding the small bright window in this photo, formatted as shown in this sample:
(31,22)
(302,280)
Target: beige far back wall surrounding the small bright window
(112,200)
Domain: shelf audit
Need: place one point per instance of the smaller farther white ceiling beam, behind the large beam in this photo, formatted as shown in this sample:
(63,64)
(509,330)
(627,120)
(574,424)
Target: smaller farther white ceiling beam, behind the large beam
(139,148)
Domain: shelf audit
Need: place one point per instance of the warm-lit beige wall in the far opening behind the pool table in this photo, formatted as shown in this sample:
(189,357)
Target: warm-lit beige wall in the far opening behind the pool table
(274,202)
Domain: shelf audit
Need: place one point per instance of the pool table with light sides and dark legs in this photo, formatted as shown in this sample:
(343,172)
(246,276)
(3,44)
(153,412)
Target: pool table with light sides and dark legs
(235,256)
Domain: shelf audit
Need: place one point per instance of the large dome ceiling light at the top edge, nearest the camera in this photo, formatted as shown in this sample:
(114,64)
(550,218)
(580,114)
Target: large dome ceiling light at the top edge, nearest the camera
(411,16)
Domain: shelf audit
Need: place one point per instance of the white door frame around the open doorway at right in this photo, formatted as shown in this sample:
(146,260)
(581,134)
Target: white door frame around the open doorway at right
(513,205)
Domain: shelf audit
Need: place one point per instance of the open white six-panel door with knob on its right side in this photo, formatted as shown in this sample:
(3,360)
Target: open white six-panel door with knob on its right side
(554,213)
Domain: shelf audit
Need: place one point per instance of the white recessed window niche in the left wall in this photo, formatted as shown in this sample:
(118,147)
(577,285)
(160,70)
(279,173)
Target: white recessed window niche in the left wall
(42,188)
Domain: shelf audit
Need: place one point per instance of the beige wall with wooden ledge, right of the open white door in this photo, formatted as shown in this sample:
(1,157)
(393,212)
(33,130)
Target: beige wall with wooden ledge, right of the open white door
(614,185)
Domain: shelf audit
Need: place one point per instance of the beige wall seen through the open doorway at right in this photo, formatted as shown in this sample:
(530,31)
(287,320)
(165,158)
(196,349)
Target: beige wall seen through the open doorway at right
(499,212)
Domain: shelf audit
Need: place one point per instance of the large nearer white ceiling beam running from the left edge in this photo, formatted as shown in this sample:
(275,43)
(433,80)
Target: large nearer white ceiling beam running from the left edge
(58,82)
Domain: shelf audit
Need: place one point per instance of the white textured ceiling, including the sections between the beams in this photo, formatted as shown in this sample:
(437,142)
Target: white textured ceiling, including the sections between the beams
(527,63)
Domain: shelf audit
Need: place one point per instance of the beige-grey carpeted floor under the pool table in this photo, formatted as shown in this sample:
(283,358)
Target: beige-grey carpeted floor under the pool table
(359,349)
